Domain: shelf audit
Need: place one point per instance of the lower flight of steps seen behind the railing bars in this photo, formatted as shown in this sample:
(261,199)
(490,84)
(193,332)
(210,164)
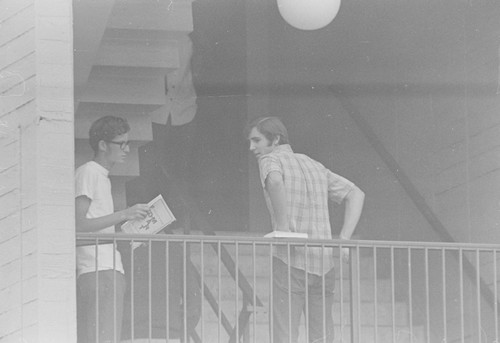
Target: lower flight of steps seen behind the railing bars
(257,330)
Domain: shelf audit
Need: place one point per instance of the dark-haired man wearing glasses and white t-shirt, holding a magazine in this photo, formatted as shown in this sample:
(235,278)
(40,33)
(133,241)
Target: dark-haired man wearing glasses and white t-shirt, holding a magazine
(94,212)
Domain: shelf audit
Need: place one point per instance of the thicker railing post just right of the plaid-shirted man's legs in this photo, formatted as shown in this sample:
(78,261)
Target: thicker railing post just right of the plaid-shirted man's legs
(354,294)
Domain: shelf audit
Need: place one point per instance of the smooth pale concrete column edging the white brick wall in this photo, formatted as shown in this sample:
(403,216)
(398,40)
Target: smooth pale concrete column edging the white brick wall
(54,144)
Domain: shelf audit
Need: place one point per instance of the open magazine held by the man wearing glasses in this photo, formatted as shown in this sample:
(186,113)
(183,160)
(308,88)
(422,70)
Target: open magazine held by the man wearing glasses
(159,216)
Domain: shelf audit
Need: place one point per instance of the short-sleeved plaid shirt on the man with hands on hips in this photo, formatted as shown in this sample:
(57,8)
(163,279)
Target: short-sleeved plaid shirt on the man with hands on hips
(309,185)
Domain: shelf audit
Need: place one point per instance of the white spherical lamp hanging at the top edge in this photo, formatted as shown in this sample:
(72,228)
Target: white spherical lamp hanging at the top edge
(308,14)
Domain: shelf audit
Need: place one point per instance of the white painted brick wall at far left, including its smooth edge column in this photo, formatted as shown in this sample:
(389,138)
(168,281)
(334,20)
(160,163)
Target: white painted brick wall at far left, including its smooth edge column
(37,279)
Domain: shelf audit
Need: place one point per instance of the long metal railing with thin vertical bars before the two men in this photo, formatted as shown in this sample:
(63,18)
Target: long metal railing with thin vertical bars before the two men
(178,287)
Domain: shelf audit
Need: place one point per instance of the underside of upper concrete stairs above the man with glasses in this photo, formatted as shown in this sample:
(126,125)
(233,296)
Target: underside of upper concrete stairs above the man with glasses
(125,50)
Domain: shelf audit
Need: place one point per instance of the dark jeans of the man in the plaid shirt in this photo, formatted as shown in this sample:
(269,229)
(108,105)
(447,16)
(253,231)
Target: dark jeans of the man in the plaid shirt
(319,305)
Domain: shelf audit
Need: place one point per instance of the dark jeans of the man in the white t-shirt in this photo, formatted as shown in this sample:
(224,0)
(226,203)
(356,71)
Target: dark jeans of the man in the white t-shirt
(110,306)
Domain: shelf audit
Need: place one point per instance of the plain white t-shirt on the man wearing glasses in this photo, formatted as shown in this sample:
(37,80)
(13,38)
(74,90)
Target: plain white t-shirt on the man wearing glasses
(92,181)
